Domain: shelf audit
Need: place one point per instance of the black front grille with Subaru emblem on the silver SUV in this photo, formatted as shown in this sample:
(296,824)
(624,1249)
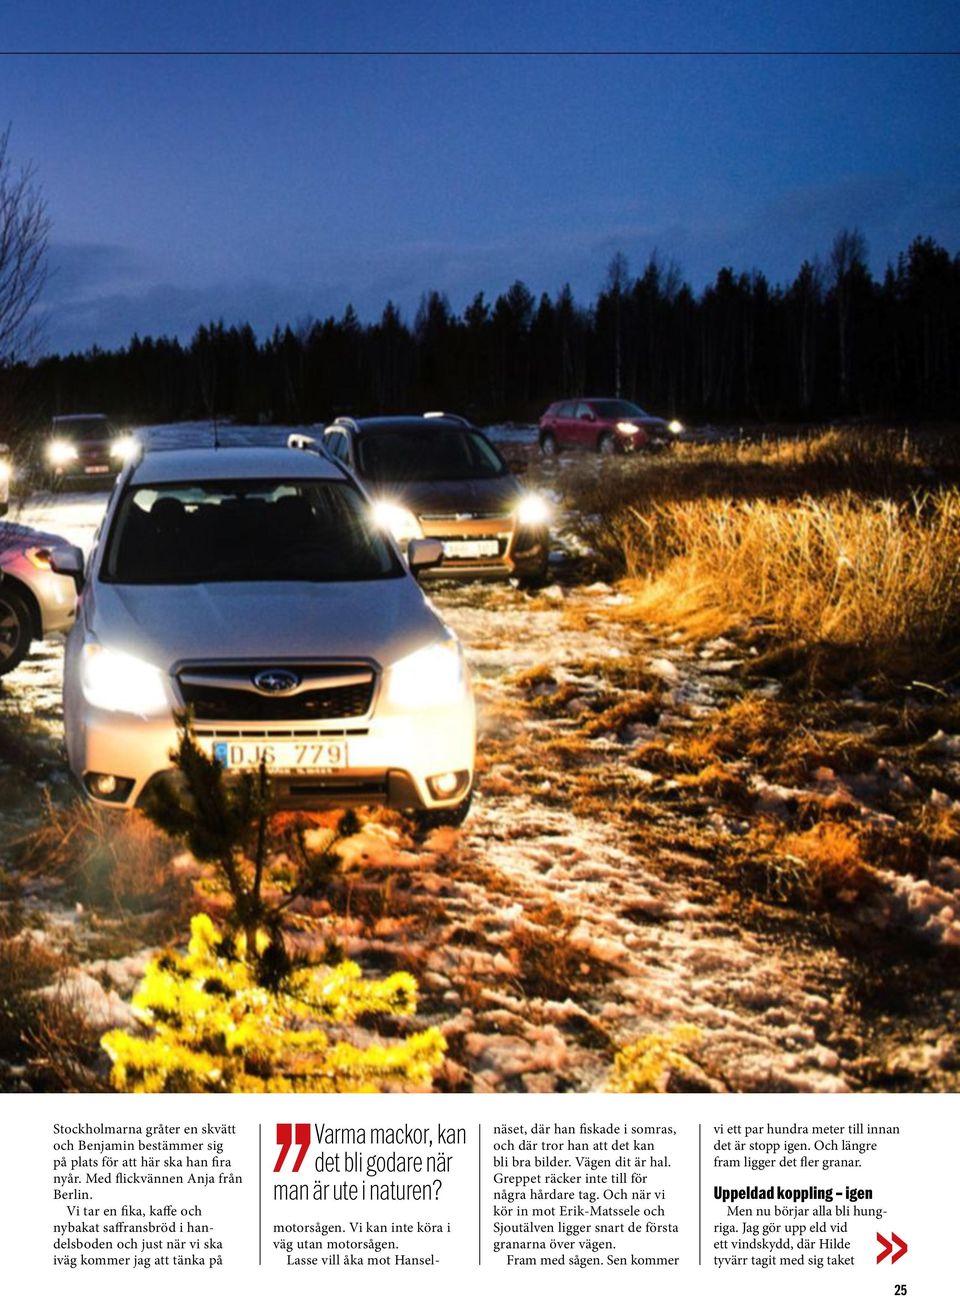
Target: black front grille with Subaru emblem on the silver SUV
(330,692)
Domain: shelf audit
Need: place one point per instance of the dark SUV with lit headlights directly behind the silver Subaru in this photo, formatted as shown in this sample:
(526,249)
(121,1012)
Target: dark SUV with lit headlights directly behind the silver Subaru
(438,477)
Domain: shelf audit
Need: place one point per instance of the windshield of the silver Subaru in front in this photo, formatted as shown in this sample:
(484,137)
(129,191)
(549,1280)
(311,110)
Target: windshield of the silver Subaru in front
(178,534)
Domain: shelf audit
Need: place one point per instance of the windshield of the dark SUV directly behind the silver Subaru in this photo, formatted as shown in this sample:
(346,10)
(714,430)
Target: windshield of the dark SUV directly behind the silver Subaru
(437,455)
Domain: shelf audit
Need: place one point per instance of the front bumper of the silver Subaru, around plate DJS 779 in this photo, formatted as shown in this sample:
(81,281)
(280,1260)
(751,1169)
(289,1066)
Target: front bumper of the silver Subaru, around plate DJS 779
(391,758)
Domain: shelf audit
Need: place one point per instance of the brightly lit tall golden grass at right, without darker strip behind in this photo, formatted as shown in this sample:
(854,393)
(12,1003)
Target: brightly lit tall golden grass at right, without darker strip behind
(843,570)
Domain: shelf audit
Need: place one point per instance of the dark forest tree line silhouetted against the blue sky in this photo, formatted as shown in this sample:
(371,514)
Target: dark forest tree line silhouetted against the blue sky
(836,342)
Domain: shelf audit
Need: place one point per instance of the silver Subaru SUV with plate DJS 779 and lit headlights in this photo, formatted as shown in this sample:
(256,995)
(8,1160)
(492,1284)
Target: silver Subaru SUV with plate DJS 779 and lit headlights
(254,589)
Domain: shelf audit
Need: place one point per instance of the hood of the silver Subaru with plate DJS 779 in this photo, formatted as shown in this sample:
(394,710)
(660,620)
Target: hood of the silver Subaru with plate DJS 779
(265,622)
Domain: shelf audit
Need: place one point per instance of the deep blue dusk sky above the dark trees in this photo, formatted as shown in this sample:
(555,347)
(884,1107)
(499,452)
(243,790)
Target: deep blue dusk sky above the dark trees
(276,187)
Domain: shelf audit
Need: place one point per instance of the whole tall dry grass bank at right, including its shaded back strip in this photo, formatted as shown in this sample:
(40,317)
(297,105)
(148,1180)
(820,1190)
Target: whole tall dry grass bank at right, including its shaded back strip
(836,540)
